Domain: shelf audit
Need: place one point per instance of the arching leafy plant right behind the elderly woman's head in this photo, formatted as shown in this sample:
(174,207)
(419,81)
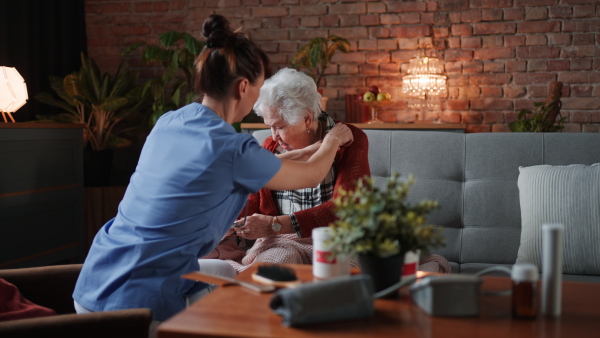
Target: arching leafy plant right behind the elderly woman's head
(315,56)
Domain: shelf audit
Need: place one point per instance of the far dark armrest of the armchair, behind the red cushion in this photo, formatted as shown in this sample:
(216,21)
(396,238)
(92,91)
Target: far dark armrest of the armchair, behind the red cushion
(49,286)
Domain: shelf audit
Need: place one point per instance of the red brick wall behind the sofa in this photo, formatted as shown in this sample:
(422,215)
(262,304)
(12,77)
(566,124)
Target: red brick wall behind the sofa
(500,55)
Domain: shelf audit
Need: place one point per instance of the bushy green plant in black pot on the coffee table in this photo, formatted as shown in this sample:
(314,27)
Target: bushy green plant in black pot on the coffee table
(380,227)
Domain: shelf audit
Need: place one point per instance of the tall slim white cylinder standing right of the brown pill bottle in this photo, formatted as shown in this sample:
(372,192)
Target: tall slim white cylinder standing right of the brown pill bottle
(552,251)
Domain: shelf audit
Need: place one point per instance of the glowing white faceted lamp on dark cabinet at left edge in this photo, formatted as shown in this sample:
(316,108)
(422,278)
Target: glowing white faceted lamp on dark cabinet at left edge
(13,91)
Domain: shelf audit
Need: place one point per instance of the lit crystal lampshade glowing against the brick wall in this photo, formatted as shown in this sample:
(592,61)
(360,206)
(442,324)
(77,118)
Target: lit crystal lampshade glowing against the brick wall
(425,83)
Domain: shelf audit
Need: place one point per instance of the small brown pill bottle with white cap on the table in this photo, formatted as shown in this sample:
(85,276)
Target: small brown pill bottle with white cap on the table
(524,291)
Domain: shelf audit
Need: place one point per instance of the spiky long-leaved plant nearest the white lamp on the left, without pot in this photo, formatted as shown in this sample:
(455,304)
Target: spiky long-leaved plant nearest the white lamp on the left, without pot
(100,102)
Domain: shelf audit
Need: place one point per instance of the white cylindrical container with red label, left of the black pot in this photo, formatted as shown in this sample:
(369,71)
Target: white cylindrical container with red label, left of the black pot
(325,264)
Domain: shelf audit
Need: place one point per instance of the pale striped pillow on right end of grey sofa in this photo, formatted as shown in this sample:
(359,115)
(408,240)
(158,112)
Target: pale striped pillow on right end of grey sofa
(562,194)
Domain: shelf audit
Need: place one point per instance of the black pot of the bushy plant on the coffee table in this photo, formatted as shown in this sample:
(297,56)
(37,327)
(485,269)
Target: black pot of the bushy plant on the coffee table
(385,272)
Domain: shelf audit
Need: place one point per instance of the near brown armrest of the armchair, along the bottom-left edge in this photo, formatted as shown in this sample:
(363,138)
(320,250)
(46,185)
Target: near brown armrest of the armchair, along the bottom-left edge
(129,323)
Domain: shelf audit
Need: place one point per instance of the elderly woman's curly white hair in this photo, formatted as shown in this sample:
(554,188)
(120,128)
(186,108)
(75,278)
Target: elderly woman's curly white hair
(290,94)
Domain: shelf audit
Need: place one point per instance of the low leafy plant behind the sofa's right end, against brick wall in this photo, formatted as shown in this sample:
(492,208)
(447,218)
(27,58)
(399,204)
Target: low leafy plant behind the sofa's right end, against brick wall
(545,117)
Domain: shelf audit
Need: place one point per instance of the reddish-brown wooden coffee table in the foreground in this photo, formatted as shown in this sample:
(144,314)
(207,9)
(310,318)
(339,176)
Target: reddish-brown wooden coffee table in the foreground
(233,311)
